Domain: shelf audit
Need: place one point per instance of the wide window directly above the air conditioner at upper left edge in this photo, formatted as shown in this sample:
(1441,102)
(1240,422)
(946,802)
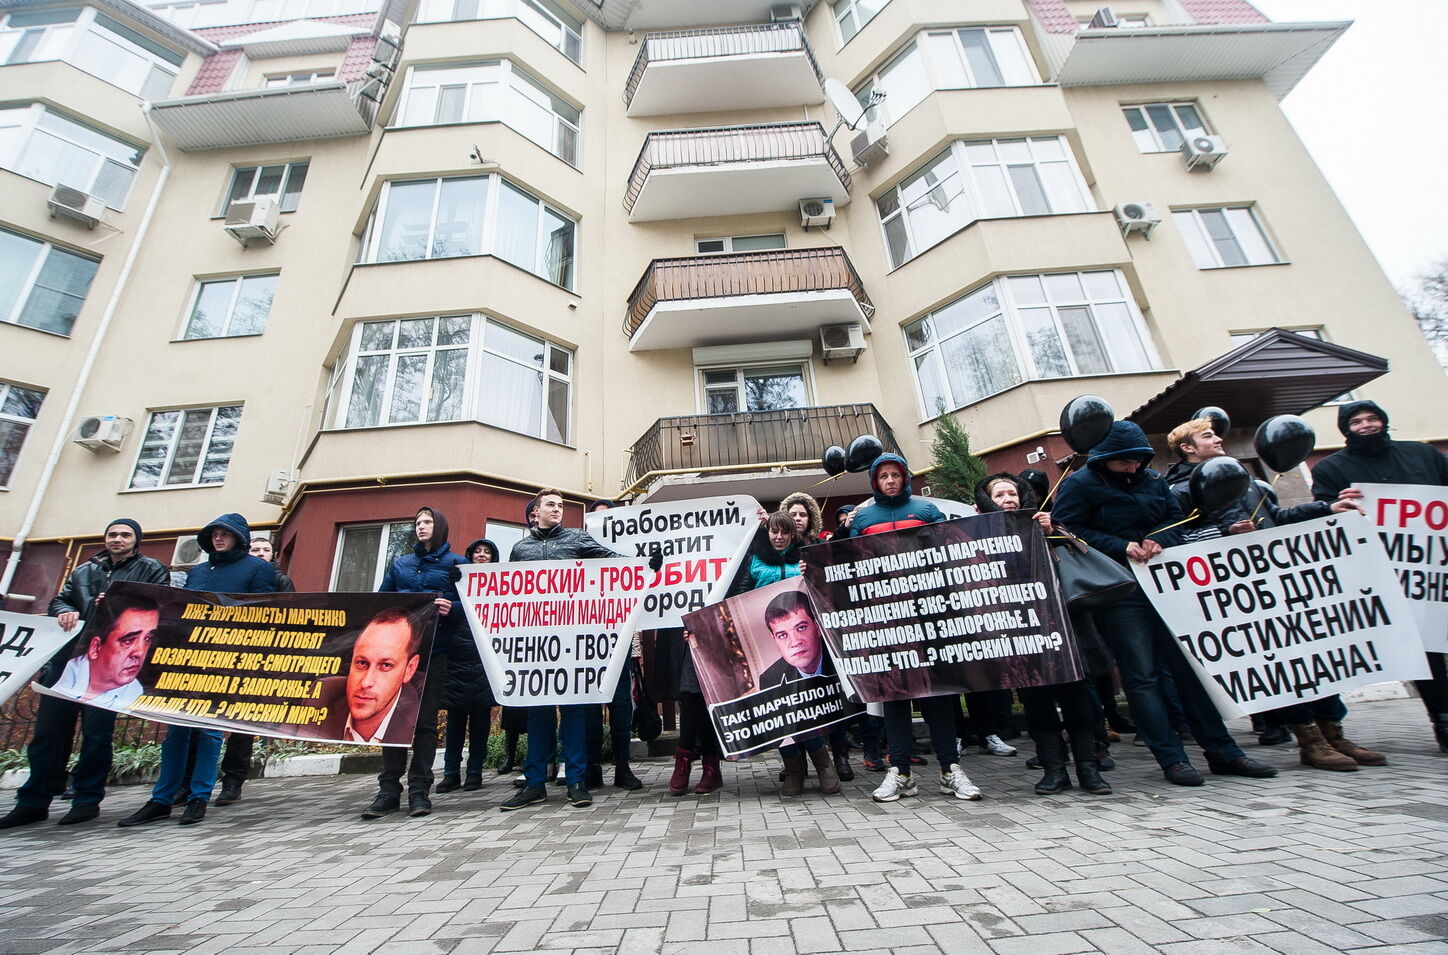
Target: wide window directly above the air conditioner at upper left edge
(44,145)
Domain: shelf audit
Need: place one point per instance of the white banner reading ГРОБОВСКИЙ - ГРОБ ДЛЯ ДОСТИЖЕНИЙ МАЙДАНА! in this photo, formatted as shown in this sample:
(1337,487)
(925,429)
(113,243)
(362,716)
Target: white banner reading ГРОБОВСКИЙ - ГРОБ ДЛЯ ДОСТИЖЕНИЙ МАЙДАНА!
(1289,614)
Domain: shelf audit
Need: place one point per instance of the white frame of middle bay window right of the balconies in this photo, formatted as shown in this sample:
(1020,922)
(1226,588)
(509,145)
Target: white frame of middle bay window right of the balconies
(968,190)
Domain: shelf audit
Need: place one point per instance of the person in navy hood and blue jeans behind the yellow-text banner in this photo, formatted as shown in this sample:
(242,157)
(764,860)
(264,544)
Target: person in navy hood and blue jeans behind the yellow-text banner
(228,569)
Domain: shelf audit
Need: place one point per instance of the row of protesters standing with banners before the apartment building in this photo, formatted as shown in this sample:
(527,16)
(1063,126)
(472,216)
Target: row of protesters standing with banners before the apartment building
(1117,504)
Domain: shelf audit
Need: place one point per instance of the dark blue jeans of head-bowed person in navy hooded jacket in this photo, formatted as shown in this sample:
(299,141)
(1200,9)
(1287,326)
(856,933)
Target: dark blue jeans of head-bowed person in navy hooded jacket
(1146,653)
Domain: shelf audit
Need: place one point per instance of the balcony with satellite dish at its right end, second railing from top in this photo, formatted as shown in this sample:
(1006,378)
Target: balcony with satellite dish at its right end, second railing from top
(733,170)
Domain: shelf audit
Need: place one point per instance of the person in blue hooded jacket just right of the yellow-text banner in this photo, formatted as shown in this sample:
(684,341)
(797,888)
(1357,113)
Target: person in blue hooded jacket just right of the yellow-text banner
(432,568)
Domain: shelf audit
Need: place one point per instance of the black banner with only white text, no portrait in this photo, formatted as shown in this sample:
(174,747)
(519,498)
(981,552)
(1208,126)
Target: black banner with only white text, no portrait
(956,607)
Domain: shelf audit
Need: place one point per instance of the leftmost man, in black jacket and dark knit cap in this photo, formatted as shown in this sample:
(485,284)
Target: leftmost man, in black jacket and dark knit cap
(56,718)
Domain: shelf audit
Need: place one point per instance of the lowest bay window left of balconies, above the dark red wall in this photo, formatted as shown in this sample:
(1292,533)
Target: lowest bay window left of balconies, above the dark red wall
(451,370)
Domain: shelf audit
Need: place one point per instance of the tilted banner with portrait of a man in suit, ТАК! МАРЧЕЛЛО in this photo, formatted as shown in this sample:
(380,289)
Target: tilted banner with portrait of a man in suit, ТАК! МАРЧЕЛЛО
(764,669)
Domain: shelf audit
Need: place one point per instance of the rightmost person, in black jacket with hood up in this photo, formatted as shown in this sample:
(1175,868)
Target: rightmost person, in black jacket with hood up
(1375,458)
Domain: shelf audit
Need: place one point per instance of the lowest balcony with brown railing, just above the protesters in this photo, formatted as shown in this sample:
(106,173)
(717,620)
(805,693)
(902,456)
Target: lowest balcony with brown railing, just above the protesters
(726,445)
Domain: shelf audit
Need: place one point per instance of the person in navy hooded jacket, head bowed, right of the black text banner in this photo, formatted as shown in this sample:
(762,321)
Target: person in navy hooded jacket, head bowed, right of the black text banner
(1127,512)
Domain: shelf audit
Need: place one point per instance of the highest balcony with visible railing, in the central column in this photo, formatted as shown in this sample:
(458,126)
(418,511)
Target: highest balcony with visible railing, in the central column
(728,69)
